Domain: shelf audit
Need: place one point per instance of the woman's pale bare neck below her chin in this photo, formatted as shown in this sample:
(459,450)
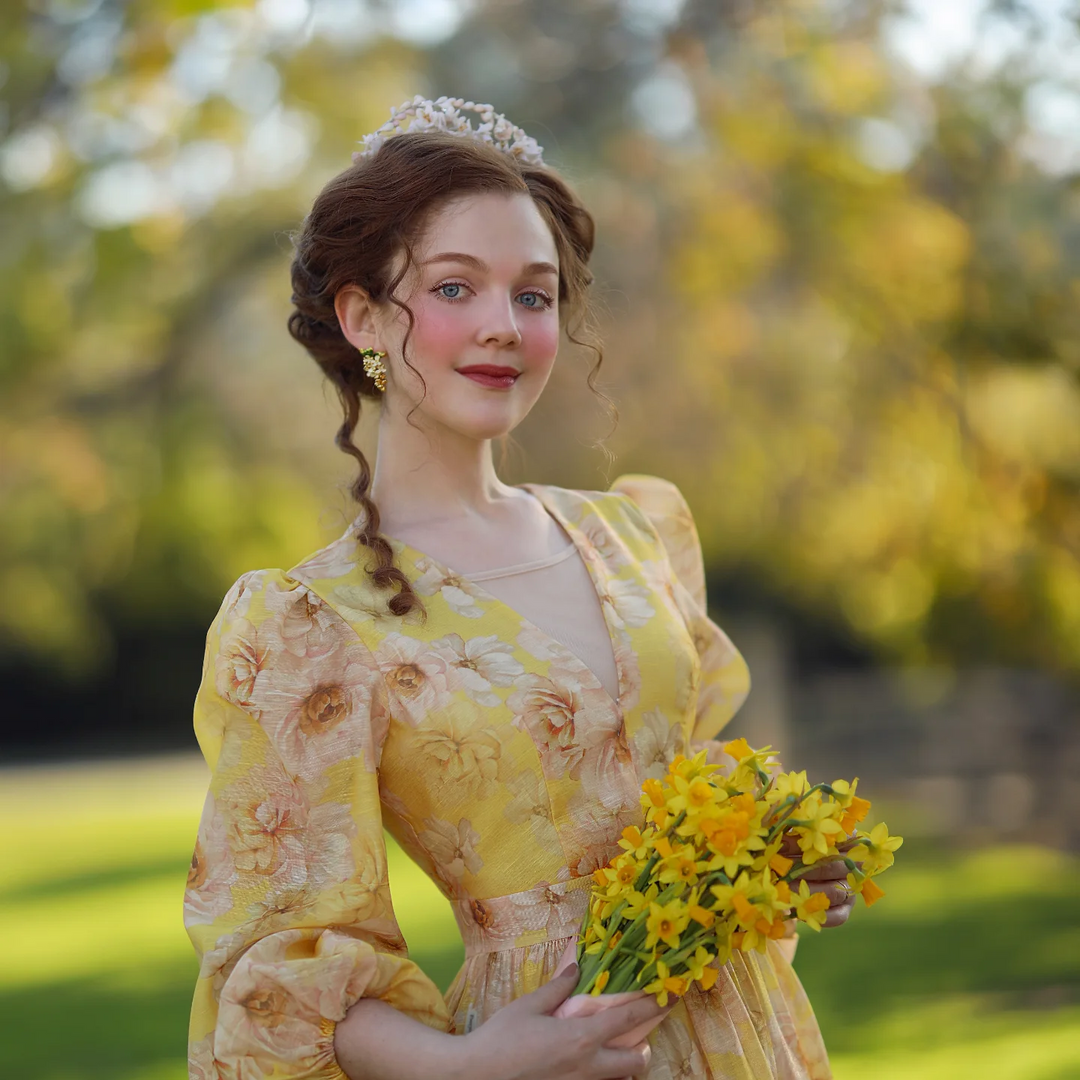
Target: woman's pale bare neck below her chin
(426,476)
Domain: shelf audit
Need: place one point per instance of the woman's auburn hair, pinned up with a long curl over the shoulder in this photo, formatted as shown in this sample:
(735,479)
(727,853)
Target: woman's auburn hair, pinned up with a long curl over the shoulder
(377,210)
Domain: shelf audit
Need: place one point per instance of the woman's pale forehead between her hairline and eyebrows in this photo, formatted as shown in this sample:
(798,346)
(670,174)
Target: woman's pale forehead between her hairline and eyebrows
(492,226)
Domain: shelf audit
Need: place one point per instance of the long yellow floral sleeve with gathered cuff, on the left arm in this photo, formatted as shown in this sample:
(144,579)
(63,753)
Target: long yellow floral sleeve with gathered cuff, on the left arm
(289,904)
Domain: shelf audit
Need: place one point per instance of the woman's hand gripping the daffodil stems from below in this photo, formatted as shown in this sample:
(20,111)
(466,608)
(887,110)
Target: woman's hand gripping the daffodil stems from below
(523,1042)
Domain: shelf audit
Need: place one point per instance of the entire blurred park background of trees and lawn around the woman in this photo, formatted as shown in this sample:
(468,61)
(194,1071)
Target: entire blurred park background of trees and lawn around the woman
(839,280)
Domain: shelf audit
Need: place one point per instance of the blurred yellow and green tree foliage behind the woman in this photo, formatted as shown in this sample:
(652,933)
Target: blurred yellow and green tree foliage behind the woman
(855,290)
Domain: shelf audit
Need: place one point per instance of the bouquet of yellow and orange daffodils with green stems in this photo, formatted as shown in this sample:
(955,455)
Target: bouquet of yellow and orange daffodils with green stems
(707,875)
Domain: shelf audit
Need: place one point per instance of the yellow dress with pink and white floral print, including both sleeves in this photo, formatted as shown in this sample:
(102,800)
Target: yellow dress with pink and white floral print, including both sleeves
(493,755)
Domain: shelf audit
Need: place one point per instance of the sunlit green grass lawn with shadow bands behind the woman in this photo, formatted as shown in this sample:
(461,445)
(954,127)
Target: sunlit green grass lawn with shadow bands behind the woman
(969,968)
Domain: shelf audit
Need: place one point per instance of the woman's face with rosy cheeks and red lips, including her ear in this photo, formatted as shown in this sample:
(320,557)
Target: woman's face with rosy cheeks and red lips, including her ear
(485,298)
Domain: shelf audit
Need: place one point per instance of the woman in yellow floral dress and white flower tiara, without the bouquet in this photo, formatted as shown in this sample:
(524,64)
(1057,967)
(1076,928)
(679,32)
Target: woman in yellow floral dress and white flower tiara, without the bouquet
(489,671)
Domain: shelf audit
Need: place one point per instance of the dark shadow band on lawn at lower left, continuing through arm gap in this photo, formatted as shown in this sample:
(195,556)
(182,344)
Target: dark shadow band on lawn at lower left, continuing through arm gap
(118,1030)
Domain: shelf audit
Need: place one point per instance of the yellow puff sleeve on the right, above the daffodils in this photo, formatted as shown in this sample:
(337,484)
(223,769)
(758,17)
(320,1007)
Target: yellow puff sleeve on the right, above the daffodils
(725,679)
